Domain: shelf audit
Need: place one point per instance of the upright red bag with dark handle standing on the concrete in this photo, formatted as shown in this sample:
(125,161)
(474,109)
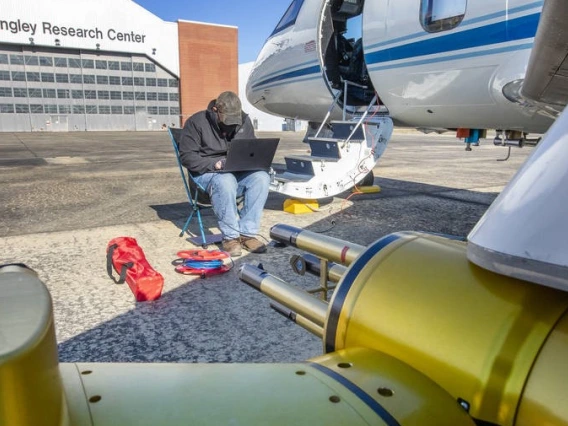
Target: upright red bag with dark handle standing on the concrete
(128,259)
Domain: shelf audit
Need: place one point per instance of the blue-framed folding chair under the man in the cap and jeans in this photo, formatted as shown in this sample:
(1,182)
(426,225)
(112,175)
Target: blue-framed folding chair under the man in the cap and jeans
(198,198)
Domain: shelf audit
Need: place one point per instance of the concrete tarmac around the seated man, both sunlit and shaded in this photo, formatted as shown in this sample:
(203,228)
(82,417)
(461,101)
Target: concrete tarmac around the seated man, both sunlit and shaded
(64,196)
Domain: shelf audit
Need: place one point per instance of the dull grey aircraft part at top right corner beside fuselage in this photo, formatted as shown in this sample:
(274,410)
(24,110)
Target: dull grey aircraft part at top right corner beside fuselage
(546,79)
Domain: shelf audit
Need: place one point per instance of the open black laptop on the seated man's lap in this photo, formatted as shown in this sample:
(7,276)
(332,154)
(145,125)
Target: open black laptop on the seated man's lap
(250,154)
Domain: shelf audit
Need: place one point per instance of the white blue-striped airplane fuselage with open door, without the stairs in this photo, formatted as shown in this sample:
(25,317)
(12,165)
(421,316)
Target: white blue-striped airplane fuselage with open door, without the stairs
(433,64)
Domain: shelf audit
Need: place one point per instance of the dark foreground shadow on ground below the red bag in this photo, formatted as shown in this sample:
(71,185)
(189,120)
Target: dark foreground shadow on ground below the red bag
(182,326)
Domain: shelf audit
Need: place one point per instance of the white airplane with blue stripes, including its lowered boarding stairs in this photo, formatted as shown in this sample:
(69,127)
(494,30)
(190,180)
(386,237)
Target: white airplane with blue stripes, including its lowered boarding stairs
(435,65)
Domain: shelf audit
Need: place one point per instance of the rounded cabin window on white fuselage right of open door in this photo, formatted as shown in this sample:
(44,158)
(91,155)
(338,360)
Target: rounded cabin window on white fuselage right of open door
(441,15)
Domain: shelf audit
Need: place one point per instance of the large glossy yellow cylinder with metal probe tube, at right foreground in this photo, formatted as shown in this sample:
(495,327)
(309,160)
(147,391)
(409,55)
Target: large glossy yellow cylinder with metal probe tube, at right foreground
(498,345)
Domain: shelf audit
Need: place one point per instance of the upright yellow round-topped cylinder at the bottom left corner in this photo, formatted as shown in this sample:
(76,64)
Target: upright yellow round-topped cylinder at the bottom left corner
(31,391)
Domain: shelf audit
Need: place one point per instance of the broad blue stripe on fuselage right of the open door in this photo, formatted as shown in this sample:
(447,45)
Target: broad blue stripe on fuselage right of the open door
(500,32)
